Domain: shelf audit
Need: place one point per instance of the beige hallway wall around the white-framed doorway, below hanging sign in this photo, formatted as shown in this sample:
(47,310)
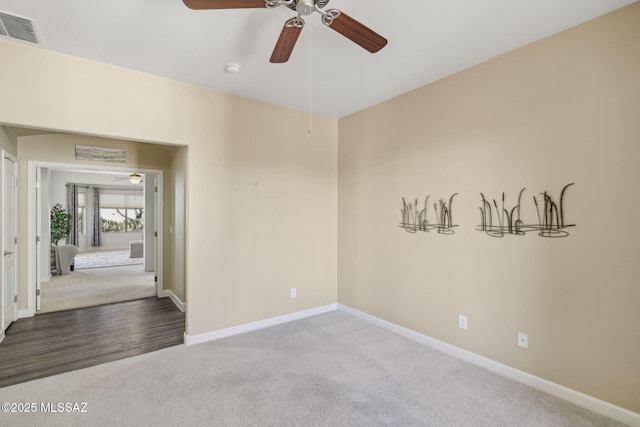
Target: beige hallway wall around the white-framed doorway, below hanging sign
(60,148)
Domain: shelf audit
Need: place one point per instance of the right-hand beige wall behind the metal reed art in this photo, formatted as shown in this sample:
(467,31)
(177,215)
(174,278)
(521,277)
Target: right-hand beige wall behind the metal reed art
(565,109)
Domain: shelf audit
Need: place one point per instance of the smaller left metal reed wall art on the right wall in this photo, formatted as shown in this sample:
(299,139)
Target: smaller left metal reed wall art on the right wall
(416,218)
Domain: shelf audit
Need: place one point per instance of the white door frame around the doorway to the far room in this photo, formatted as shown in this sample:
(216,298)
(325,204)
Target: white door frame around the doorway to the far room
(32,237)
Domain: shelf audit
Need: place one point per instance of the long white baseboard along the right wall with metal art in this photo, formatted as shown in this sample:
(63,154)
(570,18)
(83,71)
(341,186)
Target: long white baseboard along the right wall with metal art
(557,390)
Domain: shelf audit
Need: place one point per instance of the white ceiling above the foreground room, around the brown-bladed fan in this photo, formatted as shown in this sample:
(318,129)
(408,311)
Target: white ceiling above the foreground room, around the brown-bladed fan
(327,73)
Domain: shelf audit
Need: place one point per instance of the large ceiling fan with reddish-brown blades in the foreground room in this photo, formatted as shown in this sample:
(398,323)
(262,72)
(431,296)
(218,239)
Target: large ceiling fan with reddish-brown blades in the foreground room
(332,18)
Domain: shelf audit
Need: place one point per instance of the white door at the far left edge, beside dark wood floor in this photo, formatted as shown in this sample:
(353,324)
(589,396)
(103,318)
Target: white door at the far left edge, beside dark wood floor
(9,241)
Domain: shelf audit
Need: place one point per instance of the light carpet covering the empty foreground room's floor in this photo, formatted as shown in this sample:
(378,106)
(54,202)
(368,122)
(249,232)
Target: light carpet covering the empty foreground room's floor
(331,370)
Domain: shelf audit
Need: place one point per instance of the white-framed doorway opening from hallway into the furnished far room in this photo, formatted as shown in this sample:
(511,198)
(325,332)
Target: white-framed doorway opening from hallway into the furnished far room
(97,282)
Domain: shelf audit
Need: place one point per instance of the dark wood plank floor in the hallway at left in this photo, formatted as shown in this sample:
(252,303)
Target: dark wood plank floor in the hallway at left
(52,343)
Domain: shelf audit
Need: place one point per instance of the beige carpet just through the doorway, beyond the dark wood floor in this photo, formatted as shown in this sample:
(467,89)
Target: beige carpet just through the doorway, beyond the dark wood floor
(95,286)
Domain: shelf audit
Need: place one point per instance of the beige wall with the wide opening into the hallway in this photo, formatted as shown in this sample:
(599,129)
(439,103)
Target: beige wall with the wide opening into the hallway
(247,244)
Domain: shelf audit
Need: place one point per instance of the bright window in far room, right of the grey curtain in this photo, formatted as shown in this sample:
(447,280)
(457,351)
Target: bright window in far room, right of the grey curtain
(121,211)
